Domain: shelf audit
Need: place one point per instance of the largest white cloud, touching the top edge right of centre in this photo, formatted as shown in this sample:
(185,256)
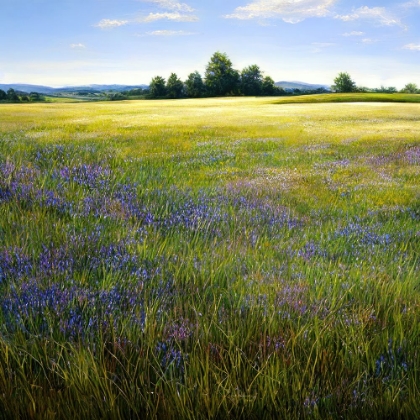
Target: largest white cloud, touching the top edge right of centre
(291,11)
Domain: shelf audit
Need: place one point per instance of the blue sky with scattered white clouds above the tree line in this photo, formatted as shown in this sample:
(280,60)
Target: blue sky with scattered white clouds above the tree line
(79,42)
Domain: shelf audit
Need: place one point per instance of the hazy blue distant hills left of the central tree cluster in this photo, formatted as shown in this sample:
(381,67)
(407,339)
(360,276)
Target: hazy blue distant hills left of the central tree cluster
(46,90)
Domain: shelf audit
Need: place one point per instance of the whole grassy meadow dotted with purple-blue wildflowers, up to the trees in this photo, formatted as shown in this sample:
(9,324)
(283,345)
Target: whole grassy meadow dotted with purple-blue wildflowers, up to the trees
(214,258)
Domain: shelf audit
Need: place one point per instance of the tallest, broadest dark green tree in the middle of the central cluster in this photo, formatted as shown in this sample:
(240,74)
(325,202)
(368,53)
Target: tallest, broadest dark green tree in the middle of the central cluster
(221,78)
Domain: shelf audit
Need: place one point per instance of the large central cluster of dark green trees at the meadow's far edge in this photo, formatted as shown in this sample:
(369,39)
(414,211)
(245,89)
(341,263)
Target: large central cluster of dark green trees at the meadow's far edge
(220,79)
